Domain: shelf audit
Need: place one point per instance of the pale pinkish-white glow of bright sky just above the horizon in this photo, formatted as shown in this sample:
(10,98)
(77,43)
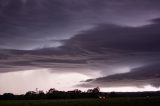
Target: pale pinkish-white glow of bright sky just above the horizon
(23,81)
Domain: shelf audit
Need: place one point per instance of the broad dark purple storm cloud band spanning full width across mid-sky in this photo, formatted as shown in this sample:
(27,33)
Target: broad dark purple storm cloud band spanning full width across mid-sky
(107,48)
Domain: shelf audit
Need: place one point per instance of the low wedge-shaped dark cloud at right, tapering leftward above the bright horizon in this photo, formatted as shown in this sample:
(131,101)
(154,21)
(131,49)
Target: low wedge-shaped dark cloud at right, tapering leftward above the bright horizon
(139,77)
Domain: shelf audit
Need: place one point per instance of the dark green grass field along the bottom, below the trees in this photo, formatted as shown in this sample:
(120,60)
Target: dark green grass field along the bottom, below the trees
(148,101)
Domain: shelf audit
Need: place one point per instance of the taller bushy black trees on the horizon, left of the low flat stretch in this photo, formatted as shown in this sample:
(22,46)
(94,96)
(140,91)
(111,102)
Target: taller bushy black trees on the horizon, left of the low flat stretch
(52,94)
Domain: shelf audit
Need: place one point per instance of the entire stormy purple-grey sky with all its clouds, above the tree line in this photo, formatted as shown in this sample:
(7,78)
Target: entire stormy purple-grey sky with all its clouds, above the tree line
(68,44)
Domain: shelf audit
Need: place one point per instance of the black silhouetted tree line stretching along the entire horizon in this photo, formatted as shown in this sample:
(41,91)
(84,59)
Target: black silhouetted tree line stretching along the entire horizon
(74,94)
